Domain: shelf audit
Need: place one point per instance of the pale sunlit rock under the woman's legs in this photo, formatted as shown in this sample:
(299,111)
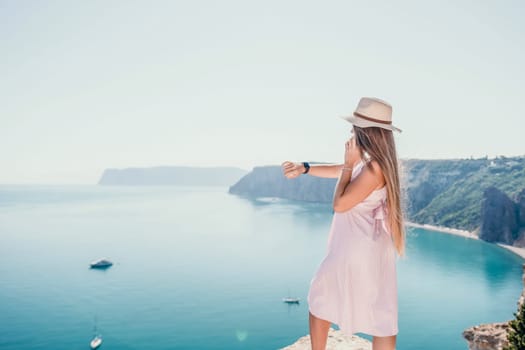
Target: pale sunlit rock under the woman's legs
(337,340)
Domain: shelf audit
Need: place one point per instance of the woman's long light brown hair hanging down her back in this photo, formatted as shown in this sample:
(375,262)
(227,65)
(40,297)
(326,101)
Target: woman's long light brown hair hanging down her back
(379,144)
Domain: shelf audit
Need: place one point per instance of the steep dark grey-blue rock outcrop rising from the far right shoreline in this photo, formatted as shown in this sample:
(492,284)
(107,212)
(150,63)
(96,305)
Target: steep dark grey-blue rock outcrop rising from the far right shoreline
(500,217)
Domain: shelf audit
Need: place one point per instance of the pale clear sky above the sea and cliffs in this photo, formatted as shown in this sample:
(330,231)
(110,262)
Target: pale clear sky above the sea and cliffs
(90,85)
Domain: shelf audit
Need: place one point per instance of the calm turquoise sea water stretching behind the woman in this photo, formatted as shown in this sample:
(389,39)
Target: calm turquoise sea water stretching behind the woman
(197,268)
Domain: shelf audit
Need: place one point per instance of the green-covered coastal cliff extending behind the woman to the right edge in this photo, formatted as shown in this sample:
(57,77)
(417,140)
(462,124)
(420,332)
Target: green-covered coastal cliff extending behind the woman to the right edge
(466,194)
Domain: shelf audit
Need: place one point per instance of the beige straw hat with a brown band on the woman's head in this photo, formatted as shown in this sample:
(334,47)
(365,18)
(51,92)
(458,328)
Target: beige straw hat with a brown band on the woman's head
(372,111)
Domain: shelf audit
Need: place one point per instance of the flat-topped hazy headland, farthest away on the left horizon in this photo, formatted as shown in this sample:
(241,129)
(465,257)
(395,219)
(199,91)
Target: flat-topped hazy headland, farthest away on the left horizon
(172,175)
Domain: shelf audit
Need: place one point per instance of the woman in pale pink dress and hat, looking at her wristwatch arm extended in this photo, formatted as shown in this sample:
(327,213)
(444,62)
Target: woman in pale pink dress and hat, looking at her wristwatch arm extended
(355,285)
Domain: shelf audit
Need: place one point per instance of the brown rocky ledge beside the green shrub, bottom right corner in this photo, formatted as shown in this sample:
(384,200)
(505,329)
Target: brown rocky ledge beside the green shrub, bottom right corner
(491,336)
